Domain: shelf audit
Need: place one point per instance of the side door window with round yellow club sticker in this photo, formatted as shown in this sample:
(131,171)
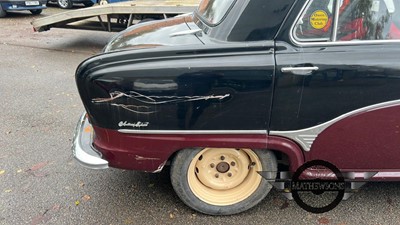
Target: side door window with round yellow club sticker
(357,20)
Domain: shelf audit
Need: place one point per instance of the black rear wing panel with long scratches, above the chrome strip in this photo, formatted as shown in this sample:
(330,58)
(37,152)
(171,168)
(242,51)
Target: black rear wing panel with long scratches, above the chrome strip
(224,88)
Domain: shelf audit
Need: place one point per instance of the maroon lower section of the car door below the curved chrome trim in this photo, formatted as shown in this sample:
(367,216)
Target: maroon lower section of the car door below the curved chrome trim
(368,141)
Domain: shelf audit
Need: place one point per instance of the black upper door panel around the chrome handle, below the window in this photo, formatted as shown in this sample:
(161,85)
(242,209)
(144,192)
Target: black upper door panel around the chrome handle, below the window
(349,77)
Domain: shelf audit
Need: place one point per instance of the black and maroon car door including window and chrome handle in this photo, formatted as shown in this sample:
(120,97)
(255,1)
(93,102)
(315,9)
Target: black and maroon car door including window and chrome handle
(337,87)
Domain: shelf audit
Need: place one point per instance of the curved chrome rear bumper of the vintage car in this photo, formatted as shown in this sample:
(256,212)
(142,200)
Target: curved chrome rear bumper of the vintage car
(82,147)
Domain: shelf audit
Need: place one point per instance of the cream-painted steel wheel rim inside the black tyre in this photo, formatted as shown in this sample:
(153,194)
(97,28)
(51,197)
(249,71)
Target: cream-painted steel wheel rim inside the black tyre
(224,176)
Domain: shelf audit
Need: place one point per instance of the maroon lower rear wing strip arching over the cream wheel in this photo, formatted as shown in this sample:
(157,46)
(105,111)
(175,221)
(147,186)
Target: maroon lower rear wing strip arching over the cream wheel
(149,152)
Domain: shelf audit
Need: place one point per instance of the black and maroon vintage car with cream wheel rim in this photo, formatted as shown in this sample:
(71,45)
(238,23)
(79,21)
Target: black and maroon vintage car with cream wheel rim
(238,87)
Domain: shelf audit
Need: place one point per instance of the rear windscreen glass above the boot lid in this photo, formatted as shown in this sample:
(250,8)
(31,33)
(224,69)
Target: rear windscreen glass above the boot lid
(213,11)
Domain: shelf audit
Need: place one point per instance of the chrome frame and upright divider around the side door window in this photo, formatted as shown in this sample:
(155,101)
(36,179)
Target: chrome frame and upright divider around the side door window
(333,42)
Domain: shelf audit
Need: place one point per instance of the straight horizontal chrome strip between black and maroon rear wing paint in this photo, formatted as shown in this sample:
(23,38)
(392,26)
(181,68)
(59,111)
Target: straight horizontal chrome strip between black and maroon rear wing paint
(162,132)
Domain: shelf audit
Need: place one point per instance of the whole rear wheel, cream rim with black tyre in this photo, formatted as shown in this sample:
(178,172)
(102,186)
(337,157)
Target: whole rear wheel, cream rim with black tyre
(221,181)
